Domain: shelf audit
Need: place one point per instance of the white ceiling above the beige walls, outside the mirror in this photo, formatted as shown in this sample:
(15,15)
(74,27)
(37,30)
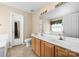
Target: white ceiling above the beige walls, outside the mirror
(25,6)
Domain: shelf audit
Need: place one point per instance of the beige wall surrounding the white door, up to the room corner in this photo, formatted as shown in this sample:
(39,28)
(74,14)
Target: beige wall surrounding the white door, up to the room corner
(5,20)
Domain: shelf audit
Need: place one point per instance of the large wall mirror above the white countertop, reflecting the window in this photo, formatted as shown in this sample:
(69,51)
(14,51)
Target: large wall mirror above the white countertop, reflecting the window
(68,24)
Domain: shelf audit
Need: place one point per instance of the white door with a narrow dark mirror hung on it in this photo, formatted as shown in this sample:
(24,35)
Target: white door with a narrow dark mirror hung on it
(16,29)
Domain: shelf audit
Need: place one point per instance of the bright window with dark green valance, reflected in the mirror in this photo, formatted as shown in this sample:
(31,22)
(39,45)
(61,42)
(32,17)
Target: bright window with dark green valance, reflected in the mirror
(56,26)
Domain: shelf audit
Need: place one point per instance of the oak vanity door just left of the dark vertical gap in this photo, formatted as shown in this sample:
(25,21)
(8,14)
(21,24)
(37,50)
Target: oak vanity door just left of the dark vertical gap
(49,50)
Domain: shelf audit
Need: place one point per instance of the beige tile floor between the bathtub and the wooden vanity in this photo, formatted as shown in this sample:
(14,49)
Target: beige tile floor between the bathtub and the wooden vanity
(20,51)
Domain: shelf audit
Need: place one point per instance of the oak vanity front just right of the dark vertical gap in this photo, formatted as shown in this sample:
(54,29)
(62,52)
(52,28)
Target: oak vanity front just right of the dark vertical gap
(60,52)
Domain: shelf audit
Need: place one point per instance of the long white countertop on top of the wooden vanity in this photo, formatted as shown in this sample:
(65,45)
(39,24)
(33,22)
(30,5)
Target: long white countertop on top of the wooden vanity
(68,42)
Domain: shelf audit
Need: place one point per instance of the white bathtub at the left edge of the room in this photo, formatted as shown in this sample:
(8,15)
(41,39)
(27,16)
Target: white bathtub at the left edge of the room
(4,43)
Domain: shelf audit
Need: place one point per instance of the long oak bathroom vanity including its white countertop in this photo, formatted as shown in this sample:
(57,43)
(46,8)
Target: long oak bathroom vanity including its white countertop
(53,47)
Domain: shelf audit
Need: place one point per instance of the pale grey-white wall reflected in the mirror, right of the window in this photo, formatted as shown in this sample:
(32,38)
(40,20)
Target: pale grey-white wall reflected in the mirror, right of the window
(71,25)
